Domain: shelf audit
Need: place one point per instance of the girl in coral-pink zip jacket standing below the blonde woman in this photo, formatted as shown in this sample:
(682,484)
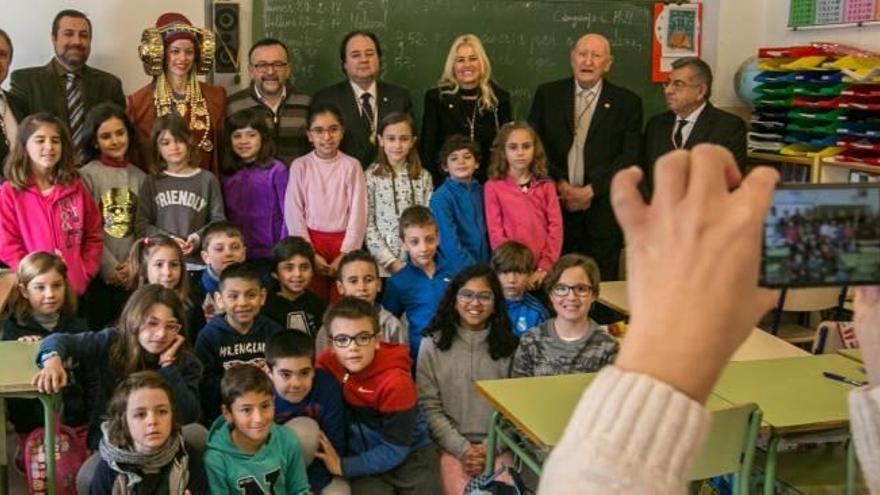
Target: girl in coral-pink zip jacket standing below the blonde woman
(521,202)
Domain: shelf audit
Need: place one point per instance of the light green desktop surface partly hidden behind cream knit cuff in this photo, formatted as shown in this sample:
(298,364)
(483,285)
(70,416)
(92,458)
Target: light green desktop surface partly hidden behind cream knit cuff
(540,407)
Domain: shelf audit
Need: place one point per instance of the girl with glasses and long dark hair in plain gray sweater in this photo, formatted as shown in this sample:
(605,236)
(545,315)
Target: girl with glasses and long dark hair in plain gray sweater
(469,339)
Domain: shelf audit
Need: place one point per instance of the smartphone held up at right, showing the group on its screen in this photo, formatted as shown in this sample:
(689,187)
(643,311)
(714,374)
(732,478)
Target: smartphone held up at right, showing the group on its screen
(817,235)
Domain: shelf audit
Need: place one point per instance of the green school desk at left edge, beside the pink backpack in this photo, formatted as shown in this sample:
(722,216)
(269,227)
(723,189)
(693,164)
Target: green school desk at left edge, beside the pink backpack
(16,373)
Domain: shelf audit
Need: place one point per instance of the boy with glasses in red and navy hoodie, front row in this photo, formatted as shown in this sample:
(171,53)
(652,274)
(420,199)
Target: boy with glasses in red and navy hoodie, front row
(388,446)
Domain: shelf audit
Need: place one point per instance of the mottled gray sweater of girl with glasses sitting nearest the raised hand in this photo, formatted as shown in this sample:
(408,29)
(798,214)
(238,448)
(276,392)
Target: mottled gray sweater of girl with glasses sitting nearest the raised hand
(542,352)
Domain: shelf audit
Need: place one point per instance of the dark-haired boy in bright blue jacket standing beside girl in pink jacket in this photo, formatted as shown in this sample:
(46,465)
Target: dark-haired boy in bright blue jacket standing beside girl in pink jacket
(458,207)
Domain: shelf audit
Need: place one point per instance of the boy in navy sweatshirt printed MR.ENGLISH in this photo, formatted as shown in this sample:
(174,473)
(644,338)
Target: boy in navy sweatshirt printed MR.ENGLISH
(235,336)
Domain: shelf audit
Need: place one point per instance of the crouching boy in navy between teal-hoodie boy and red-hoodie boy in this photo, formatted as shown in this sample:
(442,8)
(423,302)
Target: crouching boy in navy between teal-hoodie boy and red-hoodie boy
(307,399)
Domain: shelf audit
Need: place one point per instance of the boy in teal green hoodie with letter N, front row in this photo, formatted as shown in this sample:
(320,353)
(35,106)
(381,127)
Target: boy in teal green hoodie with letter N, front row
(247,452)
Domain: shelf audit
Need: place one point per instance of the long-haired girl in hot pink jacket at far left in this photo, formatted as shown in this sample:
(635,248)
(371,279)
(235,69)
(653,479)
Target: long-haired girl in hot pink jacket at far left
(44,205)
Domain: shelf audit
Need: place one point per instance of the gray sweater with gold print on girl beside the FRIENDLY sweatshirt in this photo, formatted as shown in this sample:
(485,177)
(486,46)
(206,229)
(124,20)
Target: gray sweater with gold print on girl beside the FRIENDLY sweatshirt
(115,190)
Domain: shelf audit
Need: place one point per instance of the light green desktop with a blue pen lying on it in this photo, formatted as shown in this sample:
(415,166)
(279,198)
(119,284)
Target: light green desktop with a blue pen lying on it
(791,392)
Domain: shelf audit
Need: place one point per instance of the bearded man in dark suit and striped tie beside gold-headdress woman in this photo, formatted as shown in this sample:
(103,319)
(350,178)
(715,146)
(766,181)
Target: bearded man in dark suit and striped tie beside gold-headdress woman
(66,86)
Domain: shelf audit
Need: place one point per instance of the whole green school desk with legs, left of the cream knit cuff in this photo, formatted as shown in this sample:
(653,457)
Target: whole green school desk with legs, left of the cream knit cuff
(539,408)
